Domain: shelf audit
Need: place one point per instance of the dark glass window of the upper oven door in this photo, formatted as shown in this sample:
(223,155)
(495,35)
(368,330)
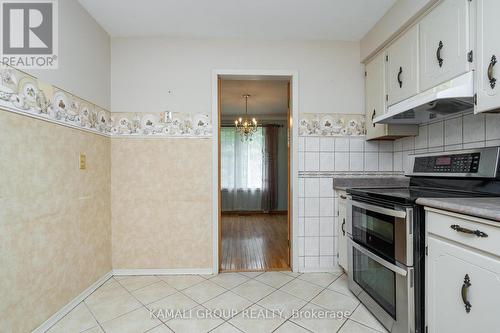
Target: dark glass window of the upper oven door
(375,231)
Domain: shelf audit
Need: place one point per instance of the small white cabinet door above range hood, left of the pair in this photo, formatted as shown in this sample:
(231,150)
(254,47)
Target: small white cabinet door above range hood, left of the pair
(402,67)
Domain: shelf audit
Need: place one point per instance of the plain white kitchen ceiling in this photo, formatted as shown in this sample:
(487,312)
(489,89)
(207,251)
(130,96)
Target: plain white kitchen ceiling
(347,20)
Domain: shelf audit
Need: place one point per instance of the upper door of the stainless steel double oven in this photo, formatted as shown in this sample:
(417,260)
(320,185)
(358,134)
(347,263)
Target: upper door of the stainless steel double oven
(386,232)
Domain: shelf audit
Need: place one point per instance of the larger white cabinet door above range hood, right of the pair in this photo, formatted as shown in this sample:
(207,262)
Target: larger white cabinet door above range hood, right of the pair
(444,43)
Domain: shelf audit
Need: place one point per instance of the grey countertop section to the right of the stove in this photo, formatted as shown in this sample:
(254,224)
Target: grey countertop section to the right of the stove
(486,208)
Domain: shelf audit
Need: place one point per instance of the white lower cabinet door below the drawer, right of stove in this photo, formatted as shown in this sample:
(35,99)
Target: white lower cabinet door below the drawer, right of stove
(448,267)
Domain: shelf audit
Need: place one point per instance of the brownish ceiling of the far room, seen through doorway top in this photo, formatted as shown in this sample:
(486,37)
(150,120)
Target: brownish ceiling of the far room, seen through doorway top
(268,98)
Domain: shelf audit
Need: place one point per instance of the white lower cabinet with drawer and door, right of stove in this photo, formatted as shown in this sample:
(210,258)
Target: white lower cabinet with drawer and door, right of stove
(462,279)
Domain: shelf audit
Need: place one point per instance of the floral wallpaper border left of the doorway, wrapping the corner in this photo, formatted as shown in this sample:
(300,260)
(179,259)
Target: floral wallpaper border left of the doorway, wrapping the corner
(24,94)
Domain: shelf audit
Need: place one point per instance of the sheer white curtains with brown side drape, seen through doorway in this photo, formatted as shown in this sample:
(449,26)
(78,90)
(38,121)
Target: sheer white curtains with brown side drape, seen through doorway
(248,170)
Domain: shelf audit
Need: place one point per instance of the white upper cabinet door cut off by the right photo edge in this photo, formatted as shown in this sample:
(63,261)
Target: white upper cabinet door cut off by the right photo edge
(487,55)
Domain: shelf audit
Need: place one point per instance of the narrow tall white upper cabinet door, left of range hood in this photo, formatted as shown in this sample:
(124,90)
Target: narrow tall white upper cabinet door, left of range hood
(375,96)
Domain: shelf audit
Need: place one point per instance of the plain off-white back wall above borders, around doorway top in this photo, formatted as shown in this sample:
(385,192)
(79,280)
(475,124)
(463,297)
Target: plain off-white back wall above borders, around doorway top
(144,69)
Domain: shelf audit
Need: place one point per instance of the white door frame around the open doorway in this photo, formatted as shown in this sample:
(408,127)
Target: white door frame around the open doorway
(293,159)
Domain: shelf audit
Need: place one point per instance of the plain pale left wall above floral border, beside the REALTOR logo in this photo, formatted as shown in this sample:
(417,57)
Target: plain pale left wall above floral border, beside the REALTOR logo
(84,56)
